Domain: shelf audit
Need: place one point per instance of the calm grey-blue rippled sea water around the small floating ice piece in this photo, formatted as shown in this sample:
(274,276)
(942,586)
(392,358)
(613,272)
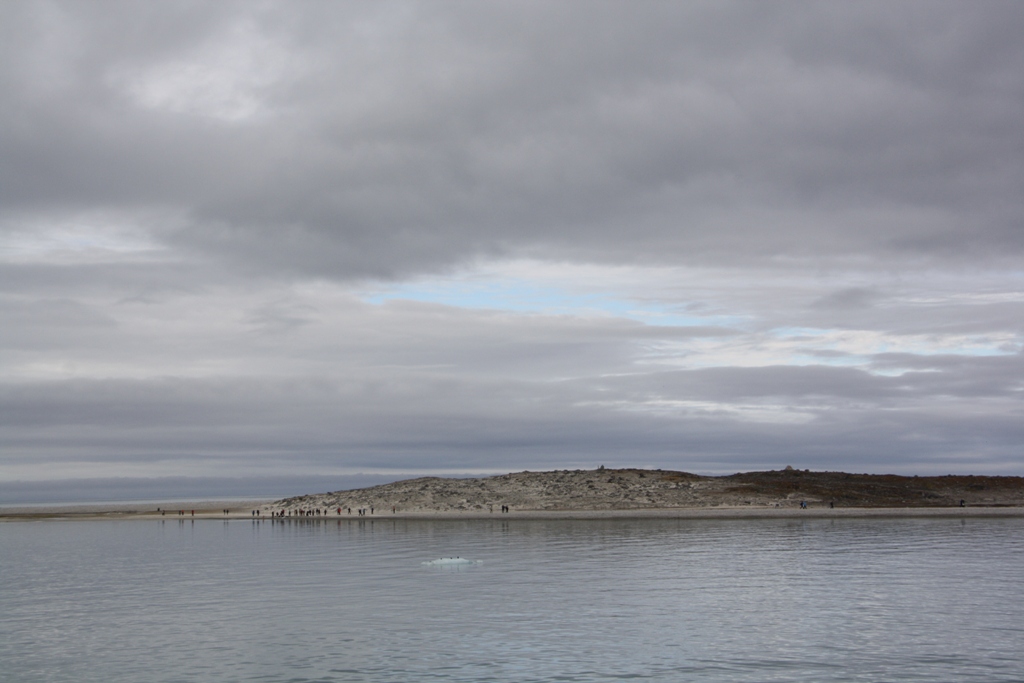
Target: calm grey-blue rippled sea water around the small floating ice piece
(650,601)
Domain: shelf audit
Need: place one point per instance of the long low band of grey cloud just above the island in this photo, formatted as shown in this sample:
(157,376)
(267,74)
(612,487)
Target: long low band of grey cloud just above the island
(410,420)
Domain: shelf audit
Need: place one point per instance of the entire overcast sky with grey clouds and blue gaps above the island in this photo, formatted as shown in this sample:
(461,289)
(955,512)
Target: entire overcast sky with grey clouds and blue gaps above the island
(262,239)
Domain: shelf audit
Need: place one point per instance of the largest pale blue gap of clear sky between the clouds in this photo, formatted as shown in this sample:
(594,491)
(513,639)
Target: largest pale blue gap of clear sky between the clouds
(519,296)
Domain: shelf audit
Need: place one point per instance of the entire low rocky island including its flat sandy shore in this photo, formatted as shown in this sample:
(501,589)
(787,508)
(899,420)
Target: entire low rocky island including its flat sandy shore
(605,494)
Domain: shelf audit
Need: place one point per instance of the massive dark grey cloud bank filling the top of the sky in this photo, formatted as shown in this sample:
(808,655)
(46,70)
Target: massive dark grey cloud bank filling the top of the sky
(414,137)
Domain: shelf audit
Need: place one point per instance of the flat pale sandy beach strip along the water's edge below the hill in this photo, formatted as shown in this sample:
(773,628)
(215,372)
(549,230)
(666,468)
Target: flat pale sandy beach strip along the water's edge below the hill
(216,510)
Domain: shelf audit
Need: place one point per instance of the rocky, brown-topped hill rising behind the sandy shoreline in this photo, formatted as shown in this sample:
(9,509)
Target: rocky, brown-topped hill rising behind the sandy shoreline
(637,489)
